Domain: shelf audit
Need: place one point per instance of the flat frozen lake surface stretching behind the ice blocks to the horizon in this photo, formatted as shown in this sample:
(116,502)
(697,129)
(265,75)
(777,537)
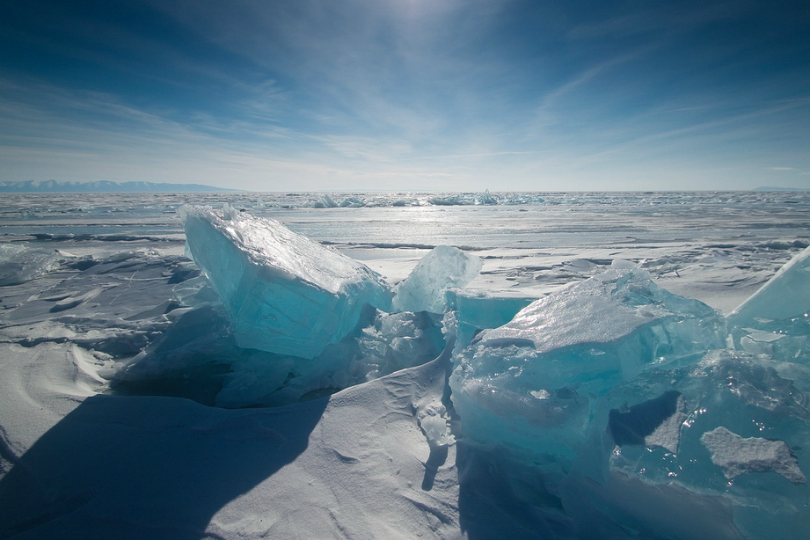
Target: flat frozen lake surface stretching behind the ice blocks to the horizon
(715,246)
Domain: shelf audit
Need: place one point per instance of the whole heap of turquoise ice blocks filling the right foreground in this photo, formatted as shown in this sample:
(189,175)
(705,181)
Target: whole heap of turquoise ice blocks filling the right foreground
(613,380)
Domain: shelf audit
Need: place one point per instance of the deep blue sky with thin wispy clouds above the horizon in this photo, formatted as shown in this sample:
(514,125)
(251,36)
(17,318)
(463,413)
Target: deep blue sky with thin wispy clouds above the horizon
(439,95)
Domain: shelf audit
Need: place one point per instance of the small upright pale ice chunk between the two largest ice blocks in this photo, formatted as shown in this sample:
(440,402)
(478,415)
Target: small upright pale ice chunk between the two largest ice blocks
(442,269)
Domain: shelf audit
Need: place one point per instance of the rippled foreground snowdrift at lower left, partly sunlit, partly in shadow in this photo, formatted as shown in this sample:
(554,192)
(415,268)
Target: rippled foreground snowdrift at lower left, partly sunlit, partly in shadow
(135,467)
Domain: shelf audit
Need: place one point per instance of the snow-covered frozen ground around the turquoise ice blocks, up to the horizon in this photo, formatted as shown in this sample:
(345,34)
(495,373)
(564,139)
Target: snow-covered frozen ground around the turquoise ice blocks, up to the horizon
(90,282)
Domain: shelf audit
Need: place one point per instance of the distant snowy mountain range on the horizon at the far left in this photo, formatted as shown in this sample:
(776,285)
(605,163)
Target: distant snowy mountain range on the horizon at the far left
(102,186)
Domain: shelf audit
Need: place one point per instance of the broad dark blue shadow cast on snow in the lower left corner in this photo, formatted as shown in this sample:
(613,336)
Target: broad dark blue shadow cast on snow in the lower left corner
(135,467)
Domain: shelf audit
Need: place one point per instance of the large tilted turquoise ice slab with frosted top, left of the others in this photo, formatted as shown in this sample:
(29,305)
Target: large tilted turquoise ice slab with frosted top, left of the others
(284,293)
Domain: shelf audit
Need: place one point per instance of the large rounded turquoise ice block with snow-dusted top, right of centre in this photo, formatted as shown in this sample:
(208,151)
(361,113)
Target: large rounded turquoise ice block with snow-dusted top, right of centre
(534,382)
